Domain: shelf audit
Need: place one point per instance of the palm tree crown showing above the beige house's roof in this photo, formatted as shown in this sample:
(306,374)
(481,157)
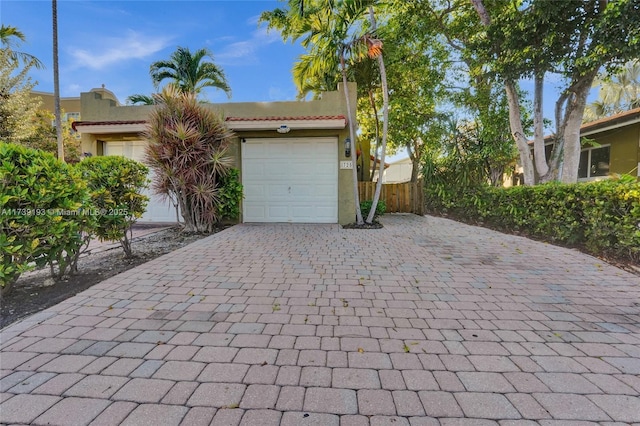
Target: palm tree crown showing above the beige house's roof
(191,72)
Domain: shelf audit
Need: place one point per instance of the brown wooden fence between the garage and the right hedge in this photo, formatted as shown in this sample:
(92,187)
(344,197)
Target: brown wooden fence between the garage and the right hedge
(399,197)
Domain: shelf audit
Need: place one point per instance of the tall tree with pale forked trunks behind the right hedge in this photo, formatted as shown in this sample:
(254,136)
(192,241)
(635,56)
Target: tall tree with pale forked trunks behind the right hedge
(573,38)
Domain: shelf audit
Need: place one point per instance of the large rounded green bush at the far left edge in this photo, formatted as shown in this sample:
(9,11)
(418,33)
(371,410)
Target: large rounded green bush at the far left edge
(42,213)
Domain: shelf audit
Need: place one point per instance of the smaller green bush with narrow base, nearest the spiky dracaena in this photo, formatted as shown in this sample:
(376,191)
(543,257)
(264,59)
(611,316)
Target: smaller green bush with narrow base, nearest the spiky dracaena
(115,184)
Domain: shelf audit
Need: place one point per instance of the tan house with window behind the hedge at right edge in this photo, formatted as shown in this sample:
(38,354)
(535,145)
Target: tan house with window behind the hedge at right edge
(611,145)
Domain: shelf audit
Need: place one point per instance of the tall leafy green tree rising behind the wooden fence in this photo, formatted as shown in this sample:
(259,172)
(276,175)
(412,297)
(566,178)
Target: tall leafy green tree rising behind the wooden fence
(418,64)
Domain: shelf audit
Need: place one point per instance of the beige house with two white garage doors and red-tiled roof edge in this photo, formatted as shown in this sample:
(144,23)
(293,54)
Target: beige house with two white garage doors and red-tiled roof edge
(291,155)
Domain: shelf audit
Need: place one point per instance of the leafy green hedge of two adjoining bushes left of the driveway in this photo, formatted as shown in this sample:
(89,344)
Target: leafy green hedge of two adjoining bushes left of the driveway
(49,211)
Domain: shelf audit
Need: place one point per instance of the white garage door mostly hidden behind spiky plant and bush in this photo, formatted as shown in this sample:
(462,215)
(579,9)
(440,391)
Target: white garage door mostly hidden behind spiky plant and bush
(158,210)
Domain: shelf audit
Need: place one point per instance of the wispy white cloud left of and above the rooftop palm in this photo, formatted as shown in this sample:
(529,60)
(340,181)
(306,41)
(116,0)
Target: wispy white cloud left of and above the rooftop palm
(111,50)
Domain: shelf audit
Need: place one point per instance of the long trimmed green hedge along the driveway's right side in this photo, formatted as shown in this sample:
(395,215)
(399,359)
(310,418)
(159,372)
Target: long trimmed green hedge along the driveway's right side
(602,217)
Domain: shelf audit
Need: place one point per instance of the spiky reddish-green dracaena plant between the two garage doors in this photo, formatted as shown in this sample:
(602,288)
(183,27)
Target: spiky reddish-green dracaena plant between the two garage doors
(187,152)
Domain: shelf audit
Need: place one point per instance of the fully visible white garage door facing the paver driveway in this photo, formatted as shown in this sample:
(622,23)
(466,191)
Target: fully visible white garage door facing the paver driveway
(290,180)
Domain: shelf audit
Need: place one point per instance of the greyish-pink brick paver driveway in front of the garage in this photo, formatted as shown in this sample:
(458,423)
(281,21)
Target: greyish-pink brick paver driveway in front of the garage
(424,322)
